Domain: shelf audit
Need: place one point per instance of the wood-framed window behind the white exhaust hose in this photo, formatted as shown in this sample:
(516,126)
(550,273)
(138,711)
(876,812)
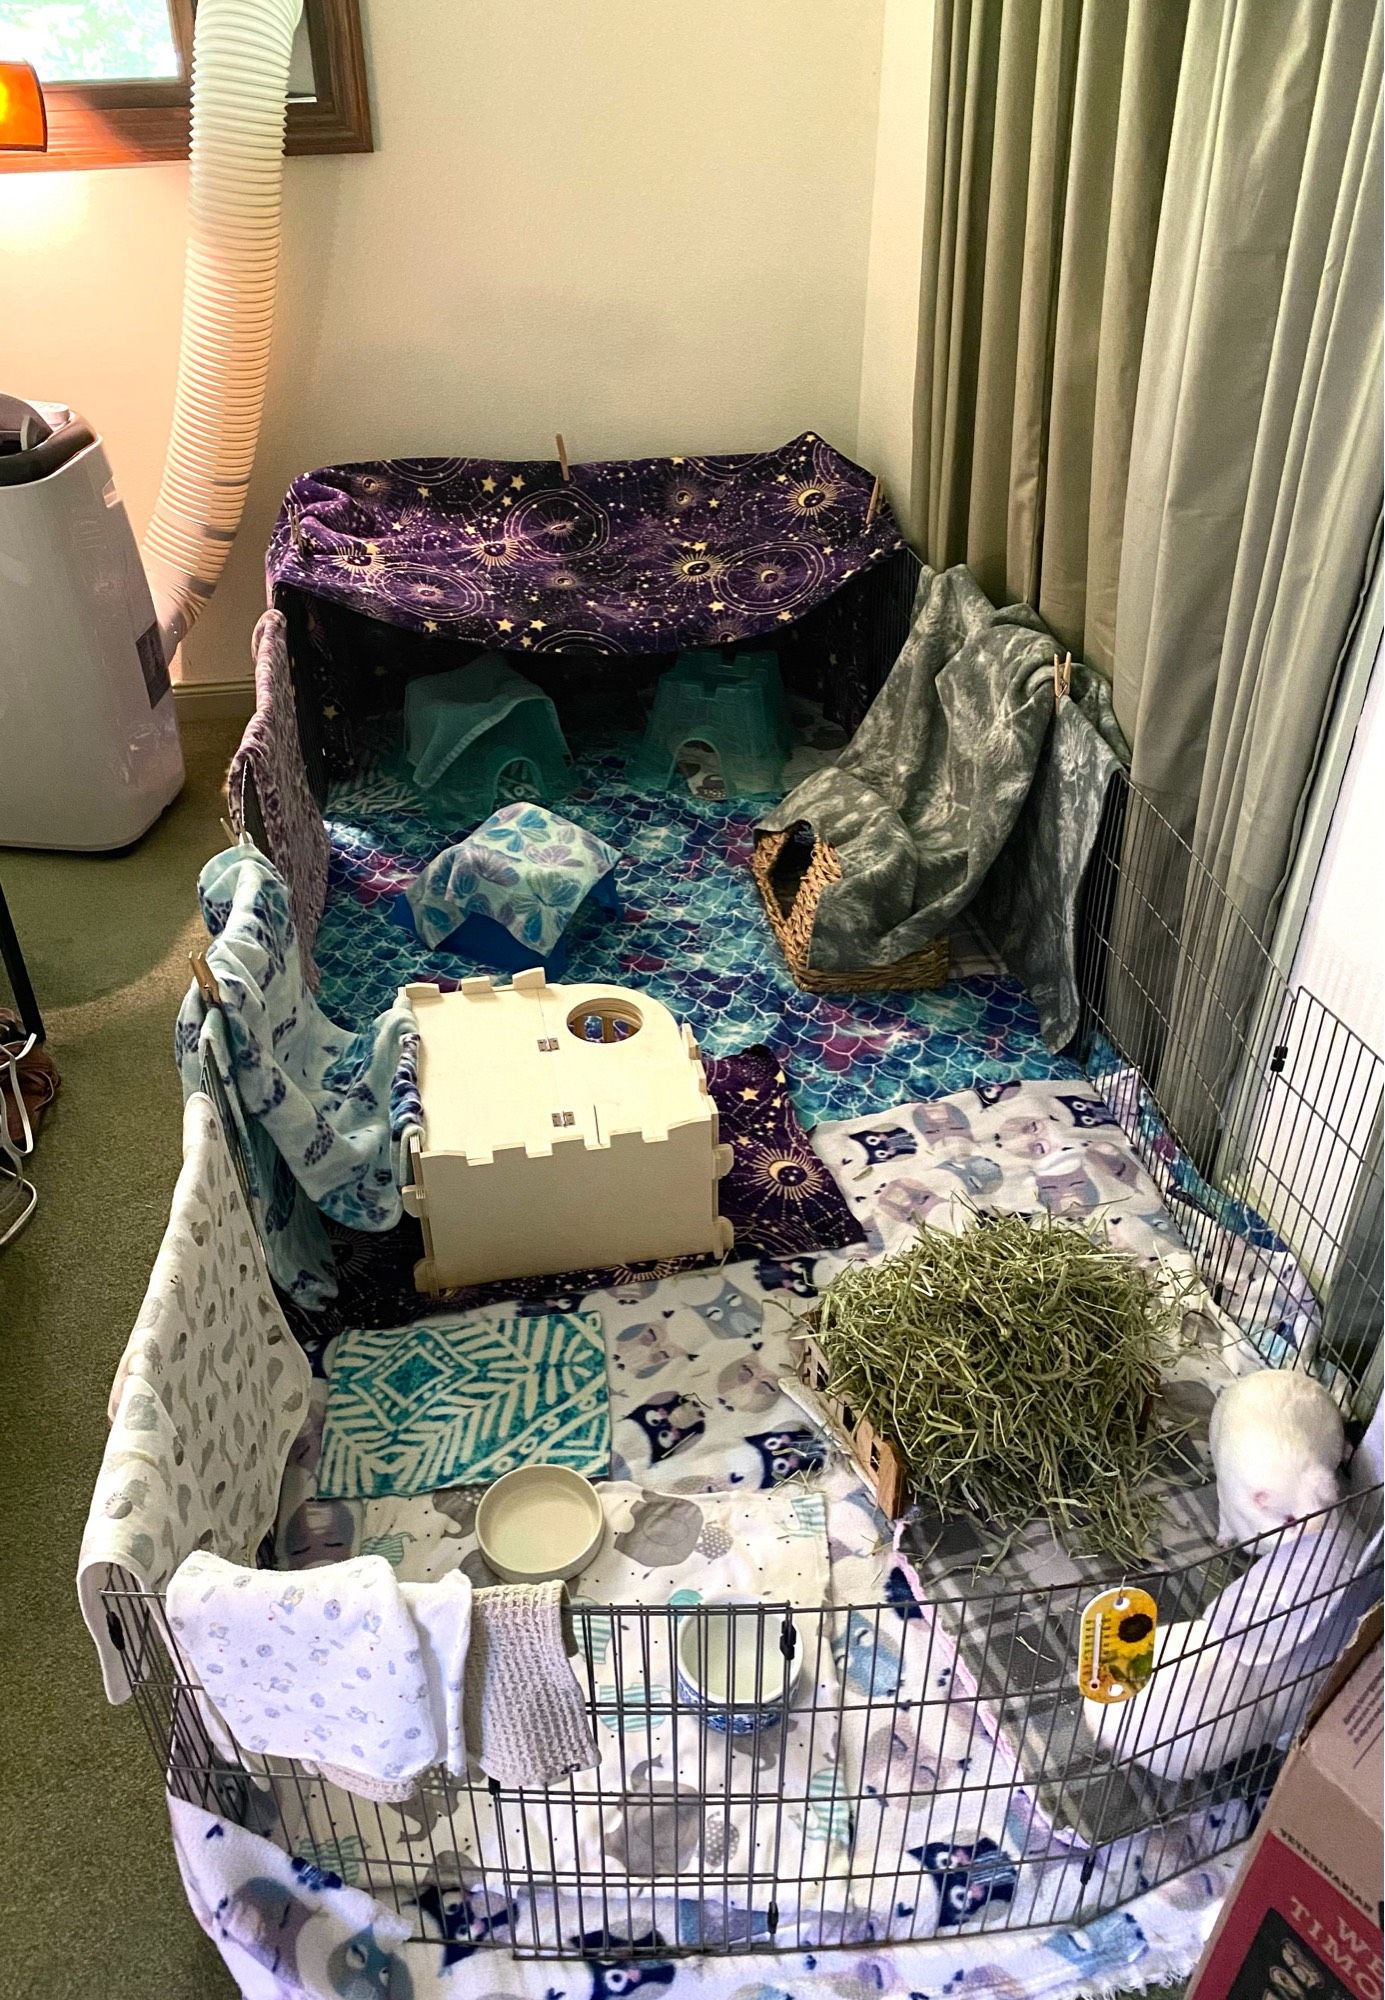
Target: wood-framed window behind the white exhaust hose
(115,77)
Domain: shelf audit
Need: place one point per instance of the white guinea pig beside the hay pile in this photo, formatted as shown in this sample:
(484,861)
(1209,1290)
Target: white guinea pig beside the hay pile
(1278,1443)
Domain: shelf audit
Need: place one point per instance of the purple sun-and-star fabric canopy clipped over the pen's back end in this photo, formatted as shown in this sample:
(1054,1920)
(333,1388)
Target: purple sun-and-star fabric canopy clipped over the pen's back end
(627,557)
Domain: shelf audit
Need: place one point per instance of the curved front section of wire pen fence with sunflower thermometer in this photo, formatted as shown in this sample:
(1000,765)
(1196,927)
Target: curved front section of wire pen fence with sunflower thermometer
(914,1817)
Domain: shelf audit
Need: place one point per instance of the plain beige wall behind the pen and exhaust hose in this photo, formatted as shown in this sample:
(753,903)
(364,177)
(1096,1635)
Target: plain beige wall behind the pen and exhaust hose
(639,223)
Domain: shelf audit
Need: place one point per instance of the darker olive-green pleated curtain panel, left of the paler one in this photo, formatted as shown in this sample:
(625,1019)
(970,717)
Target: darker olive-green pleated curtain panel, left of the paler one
(1048,147)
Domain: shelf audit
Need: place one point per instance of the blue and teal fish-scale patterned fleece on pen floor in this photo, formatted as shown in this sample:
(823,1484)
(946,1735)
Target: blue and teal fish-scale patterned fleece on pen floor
(691,933)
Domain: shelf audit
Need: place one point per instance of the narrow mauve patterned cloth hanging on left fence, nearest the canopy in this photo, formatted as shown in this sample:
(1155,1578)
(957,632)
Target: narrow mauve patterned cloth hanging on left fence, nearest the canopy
(295,835)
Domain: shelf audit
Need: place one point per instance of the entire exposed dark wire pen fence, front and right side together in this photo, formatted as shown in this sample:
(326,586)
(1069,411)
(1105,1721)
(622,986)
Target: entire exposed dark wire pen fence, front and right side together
(928,1761)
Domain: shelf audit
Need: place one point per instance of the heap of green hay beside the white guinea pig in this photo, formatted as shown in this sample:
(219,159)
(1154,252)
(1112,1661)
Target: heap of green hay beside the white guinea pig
(1014,1369)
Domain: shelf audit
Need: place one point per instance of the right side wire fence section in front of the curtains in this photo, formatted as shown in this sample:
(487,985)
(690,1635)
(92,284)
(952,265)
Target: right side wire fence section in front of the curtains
(1256,1111)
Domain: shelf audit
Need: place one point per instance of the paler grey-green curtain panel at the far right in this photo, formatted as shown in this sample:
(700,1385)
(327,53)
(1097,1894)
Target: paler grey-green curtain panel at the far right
(1254,503)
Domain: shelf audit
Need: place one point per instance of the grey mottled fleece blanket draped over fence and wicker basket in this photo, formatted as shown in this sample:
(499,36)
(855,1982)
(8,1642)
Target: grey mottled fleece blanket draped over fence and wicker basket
(966,791)
